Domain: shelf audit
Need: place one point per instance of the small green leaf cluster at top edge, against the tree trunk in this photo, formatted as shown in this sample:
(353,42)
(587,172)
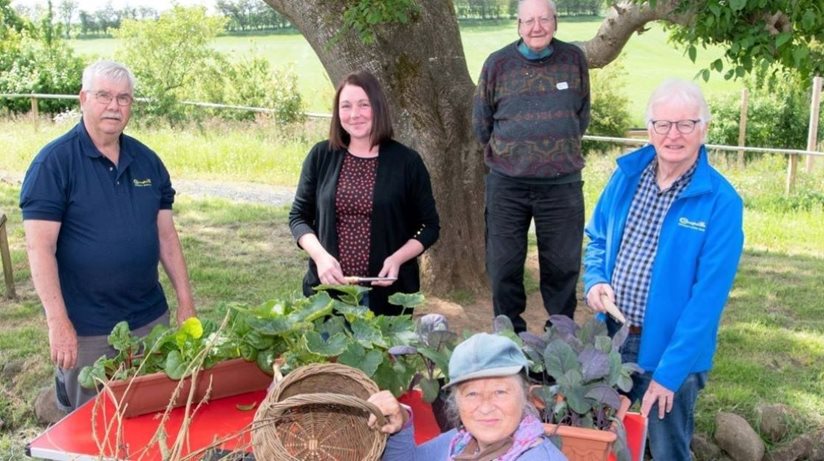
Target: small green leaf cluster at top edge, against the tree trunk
(363,16)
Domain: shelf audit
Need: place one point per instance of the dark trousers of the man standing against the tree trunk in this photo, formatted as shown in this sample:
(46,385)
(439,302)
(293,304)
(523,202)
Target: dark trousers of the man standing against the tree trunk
(558,211)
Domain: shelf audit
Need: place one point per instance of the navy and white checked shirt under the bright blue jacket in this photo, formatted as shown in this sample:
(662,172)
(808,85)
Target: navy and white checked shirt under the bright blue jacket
(639,244)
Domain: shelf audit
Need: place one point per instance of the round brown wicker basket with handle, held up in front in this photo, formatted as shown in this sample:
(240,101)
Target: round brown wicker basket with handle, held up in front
(319,412)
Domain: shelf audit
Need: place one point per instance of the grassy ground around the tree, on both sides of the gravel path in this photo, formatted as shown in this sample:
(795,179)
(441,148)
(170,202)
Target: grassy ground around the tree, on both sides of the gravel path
(771,342)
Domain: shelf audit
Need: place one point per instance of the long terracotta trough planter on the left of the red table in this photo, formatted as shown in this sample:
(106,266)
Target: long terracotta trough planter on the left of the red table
(152,393)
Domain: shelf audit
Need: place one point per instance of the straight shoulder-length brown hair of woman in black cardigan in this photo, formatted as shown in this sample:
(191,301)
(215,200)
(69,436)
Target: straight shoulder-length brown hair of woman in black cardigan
(381,121)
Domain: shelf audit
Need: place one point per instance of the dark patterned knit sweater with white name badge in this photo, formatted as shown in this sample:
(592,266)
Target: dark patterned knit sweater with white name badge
(530,115)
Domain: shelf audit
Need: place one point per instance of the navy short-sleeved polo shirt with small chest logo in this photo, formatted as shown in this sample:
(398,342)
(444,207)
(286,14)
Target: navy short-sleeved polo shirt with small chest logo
(108,247)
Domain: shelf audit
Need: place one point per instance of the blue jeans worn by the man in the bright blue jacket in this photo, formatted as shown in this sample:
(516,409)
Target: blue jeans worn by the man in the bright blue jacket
(669,438)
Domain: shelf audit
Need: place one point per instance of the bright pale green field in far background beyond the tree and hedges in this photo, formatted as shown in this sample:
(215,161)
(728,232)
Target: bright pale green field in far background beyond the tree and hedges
(648,58)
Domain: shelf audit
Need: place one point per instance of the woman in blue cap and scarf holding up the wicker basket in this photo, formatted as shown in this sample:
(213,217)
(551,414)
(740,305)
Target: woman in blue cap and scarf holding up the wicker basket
(488,395)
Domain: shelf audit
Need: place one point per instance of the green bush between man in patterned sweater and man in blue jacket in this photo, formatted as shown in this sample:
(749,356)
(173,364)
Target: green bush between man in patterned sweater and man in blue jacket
(609,114)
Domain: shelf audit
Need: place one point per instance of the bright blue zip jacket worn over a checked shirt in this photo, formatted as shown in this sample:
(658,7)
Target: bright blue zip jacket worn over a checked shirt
(699,248)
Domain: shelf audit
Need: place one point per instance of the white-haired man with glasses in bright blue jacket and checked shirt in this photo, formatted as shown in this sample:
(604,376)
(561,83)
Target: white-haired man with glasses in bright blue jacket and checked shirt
(665,240)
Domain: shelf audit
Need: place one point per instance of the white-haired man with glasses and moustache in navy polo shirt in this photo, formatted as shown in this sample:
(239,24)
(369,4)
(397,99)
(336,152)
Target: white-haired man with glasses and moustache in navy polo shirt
(97,212)
